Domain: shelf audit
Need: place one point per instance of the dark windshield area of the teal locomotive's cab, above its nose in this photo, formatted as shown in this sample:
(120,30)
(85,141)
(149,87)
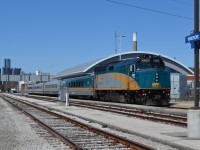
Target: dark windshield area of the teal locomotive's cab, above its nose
(148,62)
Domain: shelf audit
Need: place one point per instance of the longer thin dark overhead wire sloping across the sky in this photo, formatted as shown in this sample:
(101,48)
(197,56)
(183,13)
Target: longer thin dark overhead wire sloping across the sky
(148,9)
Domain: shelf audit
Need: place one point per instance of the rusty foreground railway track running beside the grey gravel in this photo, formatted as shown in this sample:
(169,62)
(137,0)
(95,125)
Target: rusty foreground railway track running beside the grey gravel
(73,133)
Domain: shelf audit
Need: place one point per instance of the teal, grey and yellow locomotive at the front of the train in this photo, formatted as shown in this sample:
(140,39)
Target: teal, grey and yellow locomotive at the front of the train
(142,80)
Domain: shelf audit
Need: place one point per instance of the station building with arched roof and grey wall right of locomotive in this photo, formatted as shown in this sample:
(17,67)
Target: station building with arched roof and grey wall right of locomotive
(179,72)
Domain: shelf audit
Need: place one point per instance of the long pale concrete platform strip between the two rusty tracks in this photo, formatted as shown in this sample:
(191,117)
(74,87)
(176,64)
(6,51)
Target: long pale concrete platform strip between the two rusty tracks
(170,135)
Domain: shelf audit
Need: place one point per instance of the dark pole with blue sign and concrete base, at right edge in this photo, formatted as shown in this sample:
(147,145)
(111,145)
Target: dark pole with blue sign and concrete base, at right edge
(193,119)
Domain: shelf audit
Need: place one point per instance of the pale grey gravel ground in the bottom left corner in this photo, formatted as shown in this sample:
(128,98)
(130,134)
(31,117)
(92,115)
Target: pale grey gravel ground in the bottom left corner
(17,132)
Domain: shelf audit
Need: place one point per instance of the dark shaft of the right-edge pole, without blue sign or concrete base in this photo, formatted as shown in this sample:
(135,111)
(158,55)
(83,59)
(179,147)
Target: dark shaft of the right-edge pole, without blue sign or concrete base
(196,53)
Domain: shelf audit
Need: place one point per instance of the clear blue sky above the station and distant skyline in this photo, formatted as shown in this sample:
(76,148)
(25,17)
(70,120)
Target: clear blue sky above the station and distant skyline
(52,35)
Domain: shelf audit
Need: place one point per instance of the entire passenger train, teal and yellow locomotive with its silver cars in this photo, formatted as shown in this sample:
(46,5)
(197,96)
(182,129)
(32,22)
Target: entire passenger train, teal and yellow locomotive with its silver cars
(141,80)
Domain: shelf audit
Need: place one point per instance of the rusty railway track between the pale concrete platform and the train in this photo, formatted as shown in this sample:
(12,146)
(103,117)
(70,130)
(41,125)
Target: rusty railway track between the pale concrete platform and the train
(132,112)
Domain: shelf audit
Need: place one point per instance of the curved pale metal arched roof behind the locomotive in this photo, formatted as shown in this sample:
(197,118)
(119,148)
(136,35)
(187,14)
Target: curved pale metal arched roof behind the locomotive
(88,68)
